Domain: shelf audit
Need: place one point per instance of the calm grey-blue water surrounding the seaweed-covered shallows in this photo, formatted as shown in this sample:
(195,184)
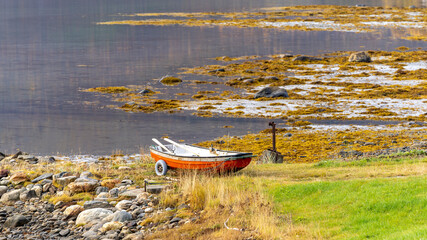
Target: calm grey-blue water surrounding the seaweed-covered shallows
(49,49)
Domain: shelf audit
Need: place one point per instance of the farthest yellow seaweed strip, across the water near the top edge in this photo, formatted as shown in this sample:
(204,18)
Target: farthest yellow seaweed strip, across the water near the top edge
(305,18)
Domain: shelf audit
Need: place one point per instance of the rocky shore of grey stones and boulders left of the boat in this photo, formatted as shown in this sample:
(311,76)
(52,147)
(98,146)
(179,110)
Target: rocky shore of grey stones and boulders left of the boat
(75,205)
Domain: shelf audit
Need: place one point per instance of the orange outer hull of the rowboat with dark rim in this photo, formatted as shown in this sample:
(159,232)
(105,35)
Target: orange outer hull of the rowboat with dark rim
(218,164)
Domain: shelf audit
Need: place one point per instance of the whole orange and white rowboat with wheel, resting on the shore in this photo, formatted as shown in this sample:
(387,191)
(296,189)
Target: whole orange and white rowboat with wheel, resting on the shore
(185,156)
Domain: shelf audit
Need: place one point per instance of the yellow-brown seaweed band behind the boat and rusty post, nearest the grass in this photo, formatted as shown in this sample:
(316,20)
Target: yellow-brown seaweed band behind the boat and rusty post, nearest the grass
(298,145)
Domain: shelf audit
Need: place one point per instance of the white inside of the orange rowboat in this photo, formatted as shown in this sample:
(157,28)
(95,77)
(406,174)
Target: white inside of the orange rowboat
(193,151)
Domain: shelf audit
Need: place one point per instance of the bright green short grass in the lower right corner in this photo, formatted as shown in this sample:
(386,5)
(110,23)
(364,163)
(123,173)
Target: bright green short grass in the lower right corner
(387,208)
